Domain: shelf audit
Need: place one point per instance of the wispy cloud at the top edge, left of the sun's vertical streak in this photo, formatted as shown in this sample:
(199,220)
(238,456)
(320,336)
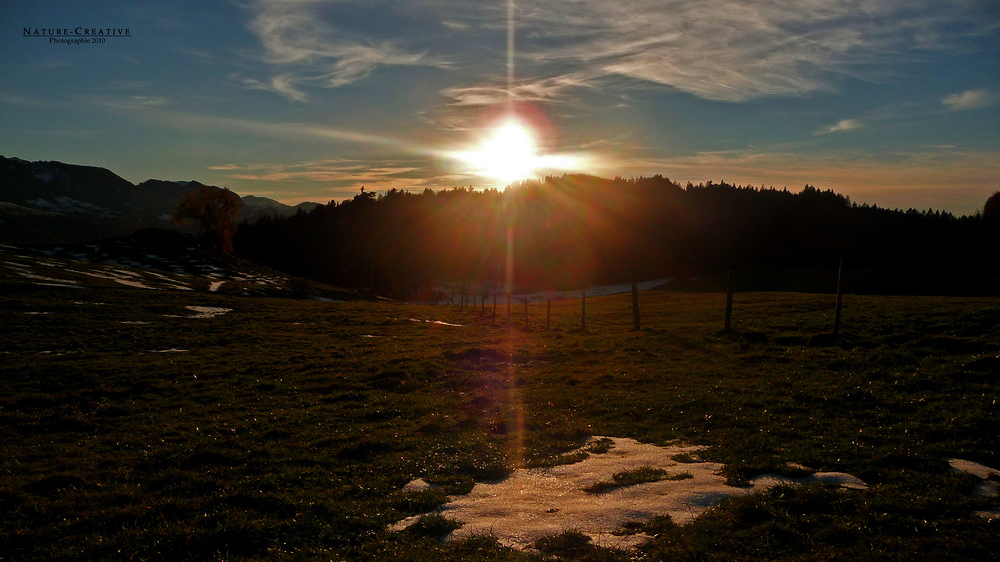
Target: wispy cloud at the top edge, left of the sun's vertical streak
(304,48)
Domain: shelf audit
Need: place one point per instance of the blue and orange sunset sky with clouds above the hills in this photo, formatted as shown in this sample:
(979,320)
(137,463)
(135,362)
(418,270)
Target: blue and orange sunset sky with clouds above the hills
(890,102)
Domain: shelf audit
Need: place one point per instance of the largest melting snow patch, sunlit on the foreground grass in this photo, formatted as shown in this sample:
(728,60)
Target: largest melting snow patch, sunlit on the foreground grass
(533,503)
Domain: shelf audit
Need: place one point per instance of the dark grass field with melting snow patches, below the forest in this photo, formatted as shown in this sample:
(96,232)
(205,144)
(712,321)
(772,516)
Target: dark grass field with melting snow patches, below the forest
(285,428)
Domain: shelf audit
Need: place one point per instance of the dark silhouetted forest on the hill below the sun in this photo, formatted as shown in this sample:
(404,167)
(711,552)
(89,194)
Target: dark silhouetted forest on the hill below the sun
(575,230)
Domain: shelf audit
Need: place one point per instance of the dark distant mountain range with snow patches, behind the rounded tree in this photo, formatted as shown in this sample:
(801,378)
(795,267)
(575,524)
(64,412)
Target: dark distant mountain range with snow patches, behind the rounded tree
(43,202)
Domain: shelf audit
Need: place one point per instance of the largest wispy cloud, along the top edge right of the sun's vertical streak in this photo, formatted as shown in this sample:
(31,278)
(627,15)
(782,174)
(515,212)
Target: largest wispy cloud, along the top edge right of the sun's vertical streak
(732,50)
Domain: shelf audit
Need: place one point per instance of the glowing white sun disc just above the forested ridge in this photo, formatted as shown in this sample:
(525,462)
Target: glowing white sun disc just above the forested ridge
(508,154)
